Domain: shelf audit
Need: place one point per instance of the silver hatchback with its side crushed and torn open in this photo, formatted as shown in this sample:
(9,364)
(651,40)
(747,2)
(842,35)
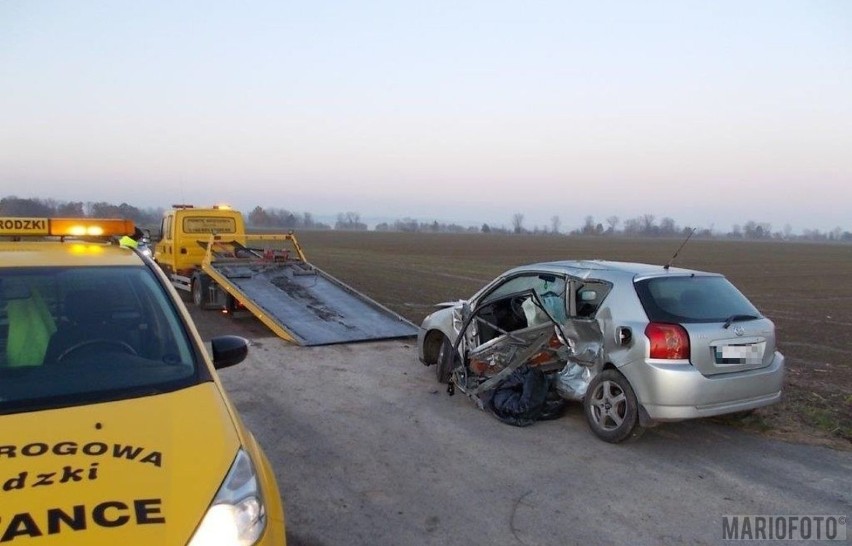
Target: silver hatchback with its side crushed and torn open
(637,344)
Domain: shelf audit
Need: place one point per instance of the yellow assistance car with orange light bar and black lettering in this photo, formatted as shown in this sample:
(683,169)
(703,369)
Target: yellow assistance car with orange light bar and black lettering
(114,427)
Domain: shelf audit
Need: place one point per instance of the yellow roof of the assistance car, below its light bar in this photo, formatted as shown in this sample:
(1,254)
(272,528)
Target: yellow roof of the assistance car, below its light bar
(70,253)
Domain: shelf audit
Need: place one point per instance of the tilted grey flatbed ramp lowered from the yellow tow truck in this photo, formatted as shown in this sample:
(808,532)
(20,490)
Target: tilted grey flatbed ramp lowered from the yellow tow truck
(302,303)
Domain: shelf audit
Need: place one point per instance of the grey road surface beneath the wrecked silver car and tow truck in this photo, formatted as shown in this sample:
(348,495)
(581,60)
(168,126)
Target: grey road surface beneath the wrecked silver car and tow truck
(368,449)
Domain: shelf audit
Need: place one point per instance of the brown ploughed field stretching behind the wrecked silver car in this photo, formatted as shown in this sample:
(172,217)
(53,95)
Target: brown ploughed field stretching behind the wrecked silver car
(806,289)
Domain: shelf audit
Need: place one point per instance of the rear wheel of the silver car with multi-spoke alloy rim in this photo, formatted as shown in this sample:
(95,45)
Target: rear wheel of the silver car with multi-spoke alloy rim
(611,408)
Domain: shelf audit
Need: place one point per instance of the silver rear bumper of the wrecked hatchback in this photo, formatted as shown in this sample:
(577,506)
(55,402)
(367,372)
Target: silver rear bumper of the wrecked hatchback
(672,392)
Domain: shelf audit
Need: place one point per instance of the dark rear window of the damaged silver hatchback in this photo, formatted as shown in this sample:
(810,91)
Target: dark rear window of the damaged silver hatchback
(693,299)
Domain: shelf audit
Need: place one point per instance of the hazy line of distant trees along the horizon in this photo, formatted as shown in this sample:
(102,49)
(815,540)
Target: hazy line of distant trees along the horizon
(645,225)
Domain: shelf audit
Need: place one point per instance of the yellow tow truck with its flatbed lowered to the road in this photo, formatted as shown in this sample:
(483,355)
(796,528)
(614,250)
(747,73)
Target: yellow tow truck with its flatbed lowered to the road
(208,254)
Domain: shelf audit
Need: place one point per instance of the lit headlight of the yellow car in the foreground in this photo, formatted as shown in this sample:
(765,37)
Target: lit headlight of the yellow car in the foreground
(237,515)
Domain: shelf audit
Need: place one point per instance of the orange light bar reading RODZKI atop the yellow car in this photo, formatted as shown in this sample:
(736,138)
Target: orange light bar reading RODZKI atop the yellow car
(65,227)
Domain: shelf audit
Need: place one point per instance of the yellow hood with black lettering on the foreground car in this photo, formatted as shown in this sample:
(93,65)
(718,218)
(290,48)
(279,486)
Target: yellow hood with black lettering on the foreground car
(139,471)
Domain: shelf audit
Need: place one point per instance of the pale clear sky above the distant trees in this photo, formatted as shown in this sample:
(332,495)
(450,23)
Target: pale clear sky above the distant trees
(712,113)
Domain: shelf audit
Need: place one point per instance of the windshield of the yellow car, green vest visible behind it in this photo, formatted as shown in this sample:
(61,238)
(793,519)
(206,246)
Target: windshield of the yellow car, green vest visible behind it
(78,335)
